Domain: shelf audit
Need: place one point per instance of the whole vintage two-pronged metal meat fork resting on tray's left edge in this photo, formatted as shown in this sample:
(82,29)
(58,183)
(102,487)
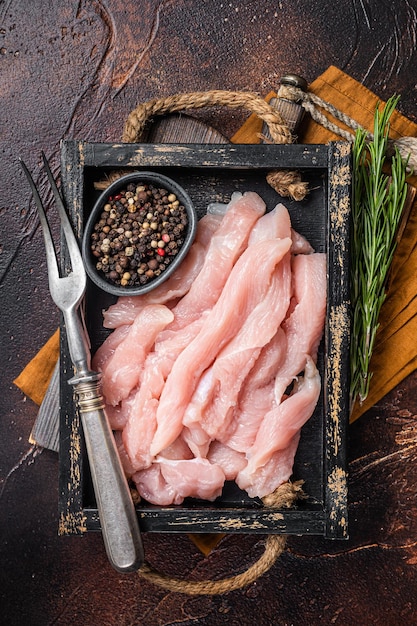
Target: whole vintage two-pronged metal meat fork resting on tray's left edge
(117,513)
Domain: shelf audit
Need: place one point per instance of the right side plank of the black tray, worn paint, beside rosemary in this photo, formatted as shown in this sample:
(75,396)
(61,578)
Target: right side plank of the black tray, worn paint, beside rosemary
(337,341)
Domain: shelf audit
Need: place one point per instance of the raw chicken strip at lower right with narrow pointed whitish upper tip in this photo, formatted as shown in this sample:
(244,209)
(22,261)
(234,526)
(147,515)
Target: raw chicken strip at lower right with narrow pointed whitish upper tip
(281,424)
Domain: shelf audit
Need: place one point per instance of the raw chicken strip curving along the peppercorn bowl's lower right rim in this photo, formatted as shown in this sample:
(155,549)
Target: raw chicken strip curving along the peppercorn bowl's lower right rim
(127,307)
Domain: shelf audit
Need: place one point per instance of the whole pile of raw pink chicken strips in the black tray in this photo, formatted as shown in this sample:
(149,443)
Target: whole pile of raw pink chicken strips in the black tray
(211,376)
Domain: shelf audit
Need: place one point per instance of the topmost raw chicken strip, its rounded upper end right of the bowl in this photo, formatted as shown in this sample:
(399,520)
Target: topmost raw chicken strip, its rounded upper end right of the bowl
(225,247)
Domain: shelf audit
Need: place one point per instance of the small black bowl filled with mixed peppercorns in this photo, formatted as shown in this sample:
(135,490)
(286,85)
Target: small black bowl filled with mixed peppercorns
(139,231)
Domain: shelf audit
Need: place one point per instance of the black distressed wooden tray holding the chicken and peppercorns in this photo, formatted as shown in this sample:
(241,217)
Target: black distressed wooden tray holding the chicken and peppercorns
(211,173)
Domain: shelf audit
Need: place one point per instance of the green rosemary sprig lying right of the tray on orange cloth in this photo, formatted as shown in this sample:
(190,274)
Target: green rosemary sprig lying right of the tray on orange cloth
(377,203)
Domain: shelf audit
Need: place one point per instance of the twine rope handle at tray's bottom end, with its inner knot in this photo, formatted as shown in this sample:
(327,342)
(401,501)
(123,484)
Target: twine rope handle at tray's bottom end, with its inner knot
(283,497)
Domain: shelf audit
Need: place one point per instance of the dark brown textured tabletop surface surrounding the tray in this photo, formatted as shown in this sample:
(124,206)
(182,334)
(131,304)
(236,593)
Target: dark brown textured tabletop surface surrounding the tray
(75,70)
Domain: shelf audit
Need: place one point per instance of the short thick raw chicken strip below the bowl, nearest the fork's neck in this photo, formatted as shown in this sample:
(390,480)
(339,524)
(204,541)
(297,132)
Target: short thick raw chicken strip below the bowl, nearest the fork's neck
(122,370)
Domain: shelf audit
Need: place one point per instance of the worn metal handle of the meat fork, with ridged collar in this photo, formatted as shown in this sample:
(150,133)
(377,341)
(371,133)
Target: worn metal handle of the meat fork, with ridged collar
(117,513)
